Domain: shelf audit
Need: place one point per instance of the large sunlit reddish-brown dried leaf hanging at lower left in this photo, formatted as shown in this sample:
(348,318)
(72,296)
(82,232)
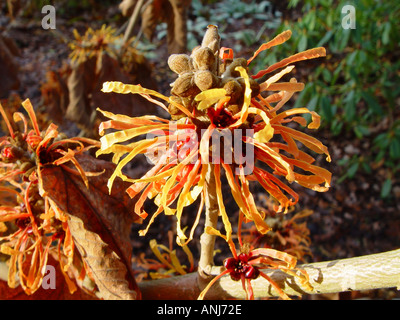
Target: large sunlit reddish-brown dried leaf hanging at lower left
(99,223)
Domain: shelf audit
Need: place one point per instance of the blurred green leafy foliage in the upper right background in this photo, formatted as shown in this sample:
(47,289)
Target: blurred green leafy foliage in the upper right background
(356,88)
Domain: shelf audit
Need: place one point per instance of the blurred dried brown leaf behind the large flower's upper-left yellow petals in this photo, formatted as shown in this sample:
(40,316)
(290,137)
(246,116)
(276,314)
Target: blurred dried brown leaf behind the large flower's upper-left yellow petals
(84,87)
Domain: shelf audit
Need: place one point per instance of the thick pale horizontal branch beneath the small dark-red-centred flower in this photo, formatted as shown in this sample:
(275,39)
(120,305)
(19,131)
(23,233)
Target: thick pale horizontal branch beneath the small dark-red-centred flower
(368,272)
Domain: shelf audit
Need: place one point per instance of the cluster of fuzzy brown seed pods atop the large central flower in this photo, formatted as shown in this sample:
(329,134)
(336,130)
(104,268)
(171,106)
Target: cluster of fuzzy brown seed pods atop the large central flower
(204,69)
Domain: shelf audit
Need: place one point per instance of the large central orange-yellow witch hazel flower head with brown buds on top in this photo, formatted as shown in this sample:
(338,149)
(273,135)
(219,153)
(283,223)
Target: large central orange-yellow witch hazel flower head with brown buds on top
(220,115)
